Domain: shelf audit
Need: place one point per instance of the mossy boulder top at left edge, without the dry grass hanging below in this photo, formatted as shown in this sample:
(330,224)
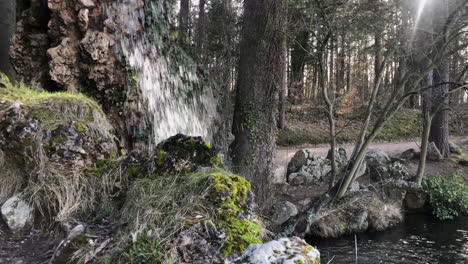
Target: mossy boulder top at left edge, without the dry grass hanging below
(62,128)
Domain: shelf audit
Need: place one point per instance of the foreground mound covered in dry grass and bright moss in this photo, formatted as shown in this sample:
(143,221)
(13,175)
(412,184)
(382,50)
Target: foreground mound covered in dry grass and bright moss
(206,215)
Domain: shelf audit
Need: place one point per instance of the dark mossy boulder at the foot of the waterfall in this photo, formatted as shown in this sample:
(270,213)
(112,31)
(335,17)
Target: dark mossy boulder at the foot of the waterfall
(184,154)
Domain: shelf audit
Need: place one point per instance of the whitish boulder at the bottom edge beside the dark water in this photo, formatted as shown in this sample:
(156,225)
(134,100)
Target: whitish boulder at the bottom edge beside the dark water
(281,251)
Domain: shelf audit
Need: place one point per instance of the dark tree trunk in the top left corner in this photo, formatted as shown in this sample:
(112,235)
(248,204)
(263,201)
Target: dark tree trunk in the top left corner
(7,28)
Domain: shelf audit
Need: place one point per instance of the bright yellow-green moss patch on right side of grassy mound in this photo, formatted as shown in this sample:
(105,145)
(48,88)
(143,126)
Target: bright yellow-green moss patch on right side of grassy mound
(229,192)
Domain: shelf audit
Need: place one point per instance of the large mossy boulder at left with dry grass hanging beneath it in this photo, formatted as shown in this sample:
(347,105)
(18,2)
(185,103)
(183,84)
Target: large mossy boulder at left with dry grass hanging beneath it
(51,139)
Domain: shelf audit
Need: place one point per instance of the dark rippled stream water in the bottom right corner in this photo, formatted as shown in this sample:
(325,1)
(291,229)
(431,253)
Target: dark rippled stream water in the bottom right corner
(419,240)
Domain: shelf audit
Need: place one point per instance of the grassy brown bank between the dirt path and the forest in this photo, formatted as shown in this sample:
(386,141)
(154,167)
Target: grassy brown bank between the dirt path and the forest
(307,124)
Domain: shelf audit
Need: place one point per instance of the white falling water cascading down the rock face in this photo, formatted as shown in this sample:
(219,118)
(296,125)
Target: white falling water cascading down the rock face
(166,88)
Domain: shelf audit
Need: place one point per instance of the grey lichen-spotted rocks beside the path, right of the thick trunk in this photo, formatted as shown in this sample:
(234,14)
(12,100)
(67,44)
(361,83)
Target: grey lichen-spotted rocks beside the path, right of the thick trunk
(306,169)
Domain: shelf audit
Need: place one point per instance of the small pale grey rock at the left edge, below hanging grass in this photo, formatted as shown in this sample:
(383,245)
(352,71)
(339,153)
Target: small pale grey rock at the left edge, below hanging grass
(17,214)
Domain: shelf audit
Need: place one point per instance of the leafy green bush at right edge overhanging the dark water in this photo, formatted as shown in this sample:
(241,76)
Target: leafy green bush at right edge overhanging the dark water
(448,196)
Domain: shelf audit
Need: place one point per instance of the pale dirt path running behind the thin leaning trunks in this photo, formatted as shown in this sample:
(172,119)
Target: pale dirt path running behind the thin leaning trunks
(284,154)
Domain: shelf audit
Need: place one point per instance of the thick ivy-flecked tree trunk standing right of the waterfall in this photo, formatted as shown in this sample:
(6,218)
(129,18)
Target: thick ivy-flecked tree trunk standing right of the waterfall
(260,77)
